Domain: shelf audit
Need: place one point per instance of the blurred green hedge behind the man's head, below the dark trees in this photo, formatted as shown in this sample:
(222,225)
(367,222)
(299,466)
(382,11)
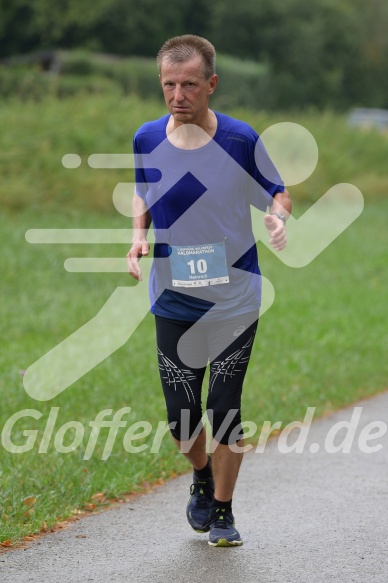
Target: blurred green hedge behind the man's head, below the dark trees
(242,83)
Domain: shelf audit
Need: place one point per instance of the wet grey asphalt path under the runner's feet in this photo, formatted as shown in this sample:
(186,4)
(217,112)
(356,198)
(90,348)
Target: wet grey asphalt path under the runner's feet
(316,516)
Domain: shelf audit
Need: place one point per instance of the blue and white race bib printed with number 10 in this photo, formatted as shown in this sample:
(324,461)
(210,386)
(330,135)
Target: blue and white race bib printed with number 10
(199,265)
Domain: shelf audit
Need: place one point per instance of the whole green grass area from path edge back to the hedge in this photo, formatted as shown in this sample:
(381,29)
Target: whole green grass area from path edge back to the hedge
(322,344)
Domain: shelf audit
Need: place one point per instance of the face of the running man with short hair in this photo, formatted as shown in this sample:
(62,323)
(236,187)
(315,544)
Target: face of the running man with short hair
(186,90)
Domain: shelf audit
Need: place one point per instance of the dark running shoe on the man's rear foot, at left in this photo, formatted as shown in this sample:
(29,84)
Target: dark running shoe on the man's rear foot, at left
(198,506)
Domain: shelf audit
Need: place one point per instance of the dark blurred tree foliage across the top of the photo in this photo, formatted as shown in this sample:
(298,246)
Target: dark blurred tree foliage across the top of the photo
(322,52)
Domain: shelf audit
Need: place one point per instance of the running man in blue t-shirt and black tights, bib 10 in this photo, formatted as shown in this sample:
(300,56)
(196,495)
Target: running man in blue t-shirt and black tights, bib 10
(205,285)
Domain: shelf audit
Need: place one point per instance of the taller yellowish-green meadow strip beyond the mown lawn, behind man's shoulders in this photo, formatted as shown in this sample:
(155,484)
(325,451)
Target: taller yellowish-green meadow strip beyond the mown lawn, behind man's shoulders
(35,136)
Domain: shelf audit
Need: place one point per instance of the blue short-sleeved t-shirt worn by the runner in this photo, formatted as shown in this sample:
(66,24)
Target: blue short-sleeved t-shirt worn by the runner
(203,197)
